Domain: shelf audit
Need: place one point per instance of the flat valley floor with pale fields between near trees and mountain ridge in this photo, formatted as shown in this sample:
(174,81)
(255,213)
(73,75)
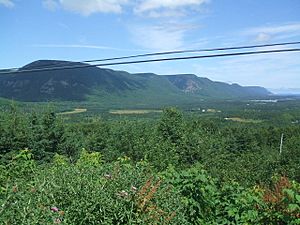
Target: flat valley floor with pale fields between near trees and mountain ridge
(282,112)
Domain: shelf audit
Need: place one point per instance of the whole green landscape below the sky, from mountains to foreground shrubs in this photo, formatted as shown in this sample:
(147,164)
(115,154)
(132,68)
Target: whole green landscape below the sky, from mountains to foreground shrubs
(118,134)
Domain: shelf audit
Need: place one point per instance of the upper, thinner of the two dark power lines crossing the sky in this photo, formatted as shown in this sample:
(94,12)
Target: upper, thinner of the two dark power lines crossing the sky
(178,52)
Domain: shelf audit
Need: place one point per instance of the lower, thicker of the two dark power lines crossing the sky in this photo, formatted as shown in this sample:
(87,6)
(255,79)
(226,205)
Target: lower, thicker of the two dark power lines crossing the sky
(153,60)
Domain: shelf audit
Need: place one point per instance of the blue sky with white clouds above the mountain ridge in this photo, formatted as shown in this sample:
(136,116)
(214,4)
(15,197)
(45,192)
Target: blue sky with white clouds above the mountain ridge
(78,30)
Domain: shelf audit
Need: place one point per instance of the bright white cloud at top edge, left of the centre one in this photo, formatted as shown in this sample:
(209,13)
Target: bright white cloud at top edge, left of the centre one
(87,7)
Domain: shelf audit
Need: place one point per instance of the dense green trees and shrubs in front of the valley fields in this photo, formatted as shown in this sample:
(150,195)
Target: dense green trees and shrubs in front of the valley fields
(175,169)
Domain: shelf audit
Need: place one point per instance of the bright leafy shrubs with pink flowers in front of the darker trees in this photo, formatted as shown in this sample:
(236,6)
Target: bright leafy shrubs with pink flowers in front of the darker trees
(123,192)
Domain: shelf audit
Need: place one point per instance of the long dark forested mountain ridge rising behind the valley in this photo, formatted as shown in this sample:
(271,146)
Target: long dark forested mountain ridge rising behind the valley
(98,84)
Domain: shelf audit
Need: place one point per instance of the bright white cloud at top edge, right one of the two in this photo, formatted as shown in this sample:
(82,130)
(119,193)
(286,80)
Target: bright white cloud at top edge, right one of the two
(149,5)
